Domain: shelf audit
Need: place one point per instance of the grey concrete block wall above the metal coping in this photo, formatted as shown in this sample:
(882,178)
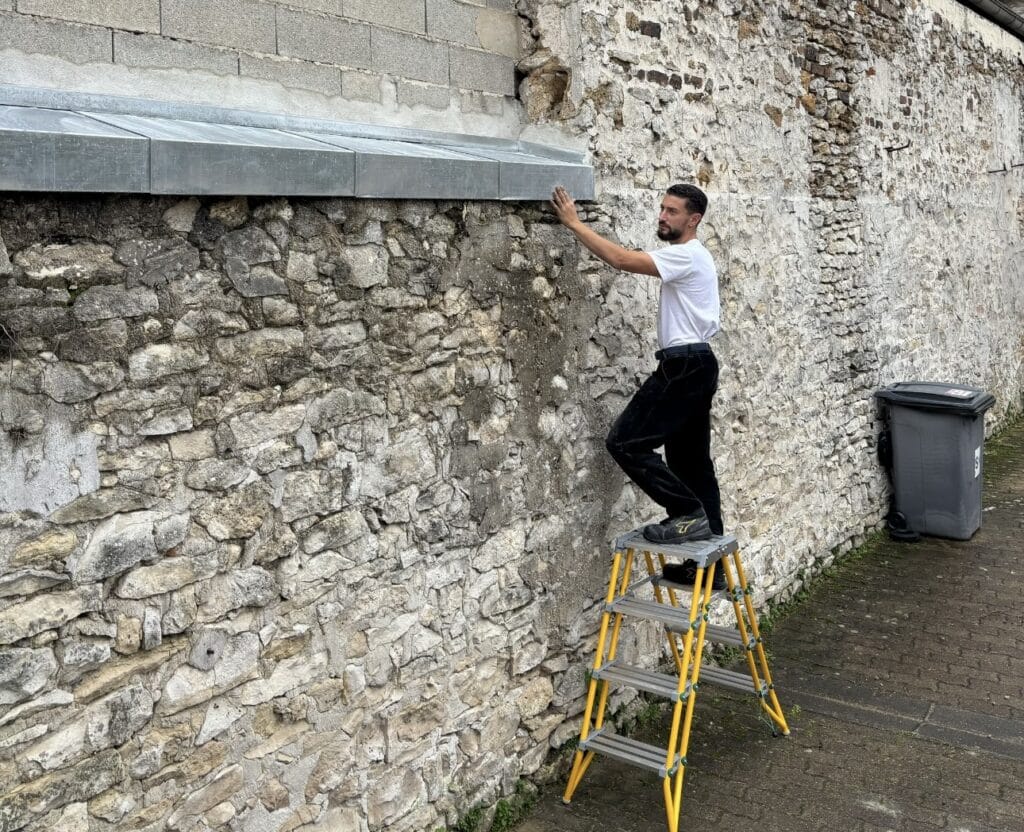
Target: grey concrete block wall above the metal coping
(446,56)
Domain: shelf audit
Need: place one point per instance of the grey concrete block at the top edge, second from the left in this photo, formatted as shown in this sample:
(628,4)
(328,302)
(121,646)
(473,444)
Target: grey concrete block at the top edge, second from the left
(242,24)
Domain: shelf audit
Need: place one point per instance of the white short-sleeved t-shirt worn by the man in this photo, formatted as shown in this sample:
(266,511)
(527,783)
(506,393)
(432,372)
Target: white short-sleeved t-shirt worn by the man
(689,309)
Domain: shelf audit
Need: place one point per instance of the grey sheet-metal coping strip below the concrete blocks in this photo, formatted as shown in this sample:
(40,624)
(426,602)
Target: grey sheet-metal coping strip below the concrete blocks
(154,155)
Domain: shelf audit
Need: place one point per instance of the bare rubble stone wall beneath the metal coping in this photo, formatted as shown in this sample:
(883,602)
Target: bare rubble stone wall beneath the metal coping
(279,531)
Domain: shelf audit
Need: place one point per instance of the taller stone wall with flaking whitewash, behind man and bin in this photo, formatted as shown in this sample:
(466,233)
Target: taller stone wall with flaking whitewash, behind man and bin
(847,261)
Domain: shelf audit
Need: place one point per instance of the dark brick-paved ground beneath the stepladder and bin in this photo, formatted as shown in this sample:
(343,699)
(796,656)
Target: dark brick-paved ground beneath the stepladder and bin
(904,675)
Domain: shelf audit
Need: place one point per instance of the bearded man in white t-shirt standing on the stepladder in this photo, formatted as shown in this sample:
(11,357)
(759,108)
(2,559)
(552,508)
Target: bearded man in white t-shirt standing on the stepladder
(673,406)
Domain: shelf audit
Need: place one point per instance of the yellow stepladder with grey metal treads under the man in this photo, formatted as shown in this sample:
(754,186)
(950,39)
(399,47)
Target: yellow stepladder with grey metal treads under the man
(688,632)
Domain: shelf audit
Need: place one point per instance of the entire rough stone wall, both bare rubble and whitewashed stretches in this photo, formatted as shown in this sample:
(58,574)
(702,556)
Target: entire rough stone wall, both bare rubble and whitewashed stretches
(306,506)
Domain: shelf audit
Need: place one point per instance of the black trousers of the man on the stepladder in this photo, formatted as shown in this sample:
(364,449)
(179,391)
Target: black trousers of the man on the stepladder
(673,409)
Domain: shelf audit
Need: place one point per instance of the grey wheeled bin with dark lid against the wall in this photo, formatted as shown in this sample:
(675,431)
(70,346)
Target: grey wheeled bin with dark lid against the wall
(937,436)
